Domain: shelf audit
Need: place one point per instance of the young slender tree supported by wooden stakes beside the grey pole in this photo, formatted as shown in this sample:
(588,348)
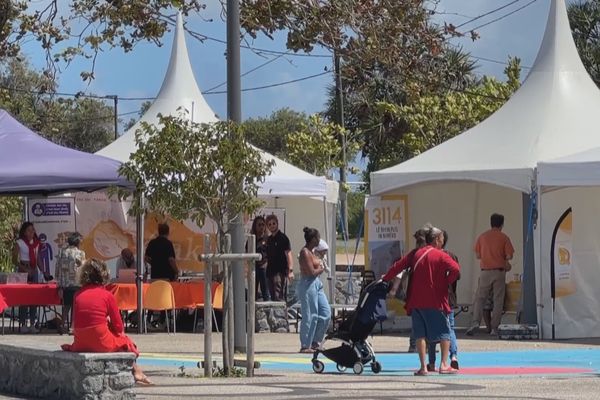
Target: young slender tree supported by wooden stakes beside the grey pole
(193,171)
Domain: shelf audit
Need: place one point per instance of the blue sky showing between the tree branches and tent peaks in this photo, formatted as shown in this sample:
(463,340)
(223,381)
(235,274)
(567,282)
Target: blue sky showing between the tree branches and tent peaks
(140,73)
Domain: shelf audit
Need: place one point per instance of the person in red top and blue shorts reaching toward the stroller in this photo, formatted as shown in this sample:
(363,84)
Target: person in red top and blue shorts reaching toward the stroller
(427,301)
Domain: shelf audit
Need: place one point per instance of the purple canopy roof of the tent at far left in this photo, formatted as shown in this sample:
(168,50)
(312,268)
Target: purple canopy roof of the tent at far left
(30,164)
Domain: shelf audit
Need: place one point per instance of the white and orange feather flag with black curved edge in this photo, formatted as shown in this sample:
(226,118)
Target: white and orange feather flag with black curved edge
(563,283)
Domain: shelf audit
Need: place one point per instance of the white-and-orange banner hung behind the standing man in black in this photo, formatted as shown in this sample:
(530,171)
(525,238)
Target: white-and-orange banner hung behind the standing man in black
(107,228)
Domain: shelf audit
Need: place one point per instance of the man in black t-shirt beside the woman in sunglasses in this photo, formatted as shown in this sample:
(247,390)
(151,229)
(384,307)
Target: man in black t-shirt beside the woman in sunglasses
(280,266)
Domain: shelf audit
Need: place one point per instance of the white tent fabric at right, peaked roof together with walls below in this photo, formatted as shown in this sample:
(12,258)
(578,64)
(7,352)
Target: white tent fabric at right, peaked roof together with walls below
(551,122)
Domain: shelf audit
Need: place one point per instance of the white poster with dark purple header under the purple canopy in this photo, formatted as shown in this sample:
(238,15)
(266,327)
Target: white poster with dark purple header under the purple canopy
(54,220)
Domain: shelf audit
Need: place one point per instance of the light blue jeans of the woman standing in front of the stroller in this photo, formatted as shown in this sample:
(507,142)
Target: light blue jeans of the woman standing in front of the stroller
(315,309)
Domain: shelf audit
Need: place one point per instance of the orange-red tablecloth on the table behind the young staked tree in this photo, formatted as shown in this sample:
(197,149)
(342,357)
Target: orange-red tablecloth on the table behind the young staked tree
(187,294)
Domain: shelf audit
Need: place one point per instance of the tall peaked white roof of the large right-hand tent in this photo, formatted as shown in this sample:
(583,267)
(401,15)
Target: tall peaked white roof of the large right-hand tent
(554,113)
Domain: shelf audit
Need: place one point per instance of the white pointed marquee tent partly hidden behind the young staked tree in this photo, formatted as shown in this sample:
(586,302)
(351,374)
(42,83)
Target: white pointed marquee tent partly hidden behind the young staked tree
(308,199)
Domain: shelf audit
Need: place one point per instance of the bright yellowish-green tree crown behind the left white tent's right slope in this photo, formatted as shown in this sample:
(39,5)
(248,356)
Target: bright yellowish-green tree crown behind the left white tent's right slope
(316,148)
